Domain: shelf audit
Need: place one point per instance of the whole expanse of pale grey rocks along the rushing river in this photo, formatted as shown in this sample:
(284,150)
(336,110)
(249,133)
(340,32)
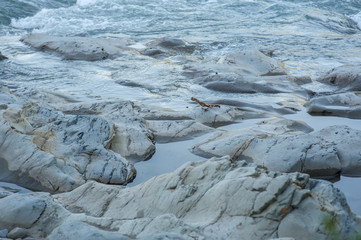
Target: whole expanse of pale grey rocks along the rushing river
(256,182)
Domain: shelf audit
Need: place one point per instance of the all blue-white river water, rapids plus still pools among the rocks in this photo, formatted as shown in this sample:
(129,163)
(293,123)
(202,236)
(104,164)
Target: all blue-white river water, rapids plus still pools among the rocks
(310,37)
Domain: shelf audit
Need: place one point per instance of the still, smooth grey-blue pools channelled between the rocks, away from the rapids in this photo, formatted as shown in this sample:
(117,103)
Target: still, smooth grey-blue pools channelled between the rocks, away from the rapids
(170,156)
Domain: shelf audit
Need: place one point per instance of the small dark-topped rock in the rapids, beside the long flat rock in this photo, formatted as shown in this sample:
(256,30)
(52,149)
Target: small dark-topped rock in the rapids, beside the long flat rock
(166,47)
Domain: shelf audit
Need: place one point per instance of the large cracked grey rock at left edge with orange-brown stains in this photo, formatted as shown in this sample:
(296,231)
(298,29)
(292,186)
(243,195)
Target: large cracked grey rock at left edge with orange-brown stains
(43,149)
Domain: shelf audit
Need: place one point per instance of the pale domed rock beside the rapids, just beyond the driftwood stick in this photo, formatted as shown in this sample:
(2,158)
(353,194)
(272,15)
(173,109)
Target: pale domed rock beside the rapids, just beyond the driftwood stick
(244,72)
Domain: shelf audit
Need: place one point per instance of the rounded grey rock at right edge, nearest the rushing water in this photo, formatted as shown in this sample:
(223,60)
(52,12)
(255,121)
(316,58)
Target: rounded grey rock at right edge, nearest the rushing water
(345,78)
